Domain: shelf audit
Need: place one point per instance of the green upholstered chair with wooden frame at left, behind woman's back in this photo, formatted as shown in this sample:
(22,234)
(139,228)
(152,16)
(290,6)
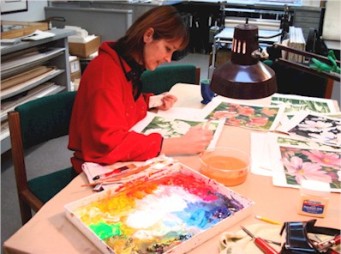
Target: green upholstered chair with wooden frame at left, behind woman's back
(31,124)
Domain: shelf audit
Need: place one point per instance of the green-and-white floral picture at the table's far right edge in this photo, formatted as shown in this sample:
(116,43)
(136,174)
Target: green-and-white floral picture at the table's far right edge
(296,103)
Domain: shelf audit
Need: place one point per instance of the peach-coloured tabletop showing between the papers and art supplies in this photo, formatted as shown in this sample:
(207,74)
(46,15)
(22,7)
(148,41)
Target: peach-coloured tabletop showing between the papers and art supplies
(49,231)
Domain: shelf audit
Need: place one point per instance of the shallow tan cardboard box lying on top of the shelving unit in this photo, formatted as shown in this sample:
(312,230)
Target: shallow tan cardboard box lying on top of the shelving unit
(15,29)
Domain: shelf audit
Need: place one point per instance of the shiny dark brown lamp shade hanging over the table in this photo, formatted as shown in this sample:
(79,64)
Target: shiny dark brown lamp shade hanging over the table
(244,77)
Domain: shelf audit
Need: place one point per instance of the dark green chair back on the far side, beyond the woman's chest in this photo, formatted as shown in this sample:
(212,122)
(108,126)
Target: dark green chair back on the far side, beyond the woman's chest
(164,77)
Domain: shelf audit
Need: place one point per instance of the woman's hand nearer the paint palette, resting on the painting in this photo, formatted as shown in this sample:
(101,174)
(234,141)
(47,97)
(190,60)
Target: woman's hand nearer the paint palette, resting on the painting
(194,141)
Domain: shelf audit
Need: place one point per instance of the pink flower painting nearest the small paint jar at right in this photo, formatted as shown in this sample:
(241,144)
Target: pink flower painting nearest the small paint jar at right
(319,165)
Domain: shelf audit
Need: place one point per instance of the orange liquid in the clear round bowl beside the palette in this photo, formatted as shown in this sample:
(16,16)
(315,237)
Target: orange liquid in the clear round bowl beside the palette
(229,171)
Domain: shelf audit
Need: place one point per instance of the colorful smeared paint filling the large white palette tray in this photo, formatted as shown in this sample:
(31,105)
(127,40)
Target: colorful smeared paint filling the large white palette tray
(157,215)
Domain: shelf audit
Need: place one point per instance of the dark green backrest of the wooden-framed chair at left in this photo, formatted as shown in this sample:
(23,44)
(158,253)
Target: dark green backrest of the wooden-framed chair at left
(45,118)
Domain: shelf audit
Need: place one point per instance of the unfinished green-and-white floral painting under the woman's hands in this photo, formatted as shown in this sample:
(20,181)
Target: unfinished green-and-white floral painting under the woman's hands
(170,128)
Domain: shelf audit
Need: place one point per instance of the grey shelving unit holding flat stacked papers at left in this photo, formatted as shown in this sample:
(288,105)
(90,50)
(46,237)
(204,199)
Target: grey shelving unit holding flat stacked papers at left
(21,59)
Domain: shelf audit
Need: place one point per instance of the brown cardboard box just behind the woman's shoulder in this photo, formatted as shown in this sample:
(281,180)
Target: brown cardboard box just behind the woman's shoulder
(84,49)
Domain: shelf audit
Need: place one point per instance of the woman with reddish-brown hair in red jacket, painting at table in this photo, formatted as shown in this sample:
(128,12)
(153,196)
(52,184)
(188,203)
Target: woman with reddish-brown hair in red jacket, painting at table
(109,100)
